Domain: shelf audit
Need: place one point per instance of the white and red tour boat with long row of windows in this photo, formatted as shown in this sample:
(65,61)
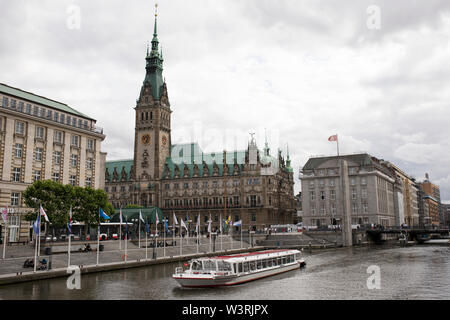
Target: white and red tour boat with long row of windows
(237,268)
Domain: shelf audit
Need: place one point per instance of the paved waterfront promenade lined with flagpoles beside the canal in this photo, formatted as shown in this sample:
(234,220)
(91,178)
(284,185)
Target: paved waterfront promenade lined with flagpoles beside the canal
(112,257)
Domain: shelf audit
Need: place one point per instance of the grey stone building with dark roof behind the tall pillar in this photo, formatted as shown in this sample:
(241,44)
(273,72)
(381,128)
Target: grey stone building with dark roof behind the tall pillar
(368,194)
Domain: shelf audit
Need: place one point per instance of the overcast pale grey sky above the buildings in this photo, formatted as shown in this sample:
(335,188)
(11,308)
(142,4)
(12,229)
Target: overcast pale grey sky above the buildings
(373,72)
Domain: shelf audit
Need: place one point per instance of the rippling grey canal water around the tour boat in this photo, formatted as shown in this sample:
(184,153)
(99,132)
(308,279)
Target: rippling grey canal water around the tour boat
(418,272)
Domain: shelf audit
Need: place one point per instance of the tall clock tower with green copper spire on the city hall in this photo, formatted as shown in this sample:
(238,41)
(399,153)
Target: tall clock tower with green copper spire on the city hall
(152,131)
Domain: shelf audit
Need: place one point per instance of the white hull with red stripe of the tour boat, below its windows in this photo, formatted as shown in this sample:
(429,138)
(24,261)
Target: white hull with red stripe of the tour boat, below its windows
(189,281)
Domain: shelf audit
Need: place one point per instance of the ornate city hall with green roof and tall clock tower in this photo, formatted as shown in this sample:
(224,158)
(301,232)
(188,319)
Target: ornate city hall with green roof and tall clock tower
(249,185)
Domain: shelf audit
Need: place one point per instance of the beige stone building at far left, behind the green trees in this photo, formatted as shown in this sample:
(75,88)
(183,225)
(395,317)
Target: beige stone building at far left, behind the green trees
(43,139)
